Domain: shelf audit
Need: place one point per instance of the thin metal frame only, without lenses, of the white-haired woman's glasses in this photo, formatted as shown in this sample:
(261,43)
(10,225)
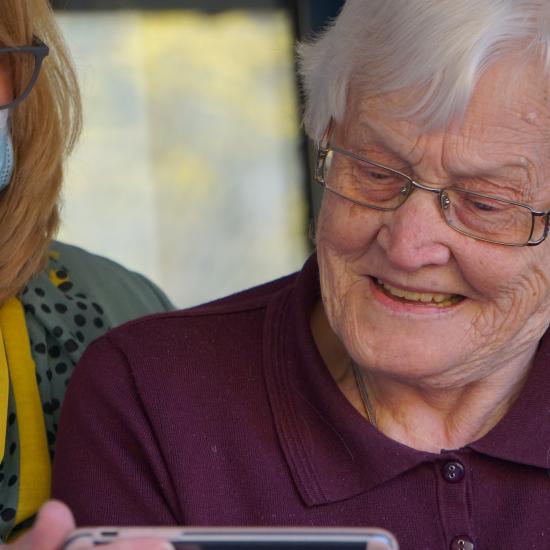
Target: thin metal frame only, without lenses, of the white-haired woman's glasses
(444,201)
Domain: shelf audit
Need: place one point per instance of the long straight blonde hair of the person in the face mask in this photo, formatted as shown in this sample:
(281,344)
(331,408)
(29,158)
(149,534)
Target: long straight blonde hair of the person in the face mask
(44,127)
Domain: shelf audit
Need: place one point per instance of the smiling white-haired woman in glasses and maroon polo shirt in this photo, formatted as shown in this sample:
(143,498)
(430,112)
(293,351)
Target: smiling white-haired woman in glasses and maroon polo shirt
(401,378)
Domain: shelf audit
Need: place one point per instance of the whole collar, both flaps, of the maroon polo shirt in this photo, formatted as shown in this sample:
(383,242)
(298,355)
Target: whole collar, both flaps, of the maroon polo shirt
(332,452)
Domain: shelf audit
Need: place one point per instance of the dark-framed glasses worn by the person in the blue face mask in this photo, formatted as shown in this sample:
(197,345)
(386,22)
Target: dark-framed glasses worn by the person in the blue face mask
(20,67)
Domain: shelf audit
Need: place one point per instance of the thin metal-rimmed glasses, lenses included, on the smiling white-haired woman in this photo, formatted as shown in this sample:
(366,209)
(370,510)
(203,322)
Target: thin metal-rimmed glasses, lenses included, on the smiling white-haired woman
(477,215)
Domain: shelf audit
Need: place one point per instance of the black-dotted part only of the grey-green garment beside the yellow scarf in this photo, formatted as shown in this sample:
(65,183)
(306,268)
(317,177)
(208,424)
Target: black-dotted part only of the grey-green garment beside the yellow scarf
(62,320)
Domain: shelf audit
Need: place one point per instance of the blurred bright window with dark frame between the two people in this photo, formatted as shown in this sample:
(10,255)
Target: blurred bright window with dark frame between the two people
(193,168)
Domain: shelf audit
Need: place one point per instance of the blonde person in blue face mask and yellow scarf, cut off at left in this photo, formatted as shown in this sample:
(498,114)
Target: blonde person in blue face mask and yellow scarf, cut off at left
(54,298)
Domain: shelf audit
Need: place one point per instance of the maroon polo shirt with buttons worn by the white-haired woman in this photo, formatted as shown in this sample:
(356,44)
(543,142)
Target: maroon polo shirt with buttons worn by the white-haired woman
(226,415)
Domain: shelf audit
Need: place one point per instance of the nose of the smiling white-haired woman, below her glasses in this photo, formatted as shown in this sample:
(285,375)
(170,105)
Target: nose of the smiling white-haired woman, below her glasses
(413,235)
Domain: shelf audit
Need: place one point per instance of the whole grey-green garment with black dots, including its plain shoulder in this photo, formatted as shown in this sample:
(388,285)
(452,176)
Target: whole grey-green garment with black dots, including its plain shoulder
(65,310)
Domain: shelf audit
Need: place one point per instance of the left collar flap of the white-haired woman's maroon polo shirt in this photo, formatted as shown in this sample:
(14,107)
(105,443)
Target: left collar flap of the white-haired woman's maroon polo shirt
(328,445)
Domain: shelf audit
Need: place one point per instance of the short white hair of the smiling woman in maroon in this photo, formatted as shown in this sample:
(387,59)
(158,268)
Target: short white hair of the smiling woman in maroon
(438,47)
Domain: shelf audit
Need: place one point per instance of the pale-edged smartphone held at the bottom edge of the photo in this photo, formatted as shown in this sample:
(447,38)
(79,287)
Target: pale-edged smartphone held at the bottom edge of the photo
(241,538)
